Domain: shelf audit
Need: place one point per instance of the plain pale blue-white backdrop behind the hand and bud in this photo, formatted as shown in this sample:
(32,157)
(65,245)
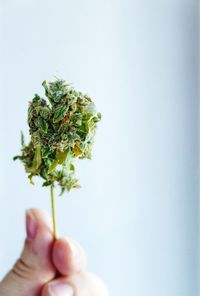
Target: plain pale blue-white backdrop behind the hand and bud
(136,214)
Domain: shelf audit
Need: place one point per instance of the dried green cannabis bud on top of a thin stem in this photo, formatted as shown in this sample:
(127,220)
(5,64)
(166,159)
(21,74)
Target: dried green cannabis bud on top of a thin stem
(62,129)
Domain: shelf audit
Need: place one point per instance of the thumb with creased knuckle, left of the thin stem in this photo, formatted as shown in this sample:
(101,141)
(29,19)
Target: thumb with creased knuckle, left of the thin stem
(34,268)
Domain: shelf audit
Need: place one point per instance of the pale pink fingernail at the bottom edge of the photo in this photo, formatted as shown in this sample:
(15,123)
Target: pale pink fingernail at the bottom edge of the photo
(60,289)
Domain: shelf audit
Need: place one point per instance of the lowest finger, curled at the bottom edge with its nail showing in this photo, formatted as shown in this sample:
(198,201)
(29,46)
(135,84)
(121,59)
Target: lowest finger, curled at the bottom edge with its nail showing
(80,284)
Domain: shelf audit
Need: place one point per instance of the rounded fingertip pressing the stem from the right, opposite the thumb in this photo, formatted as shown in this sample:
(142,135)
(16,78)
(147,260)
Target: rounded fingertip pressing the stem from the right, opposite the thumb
(68,256)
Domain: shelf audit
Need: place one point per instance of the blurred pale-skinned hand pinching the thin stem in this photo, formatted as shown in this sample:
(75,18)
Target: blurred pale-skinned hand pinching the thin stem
(49,267)
